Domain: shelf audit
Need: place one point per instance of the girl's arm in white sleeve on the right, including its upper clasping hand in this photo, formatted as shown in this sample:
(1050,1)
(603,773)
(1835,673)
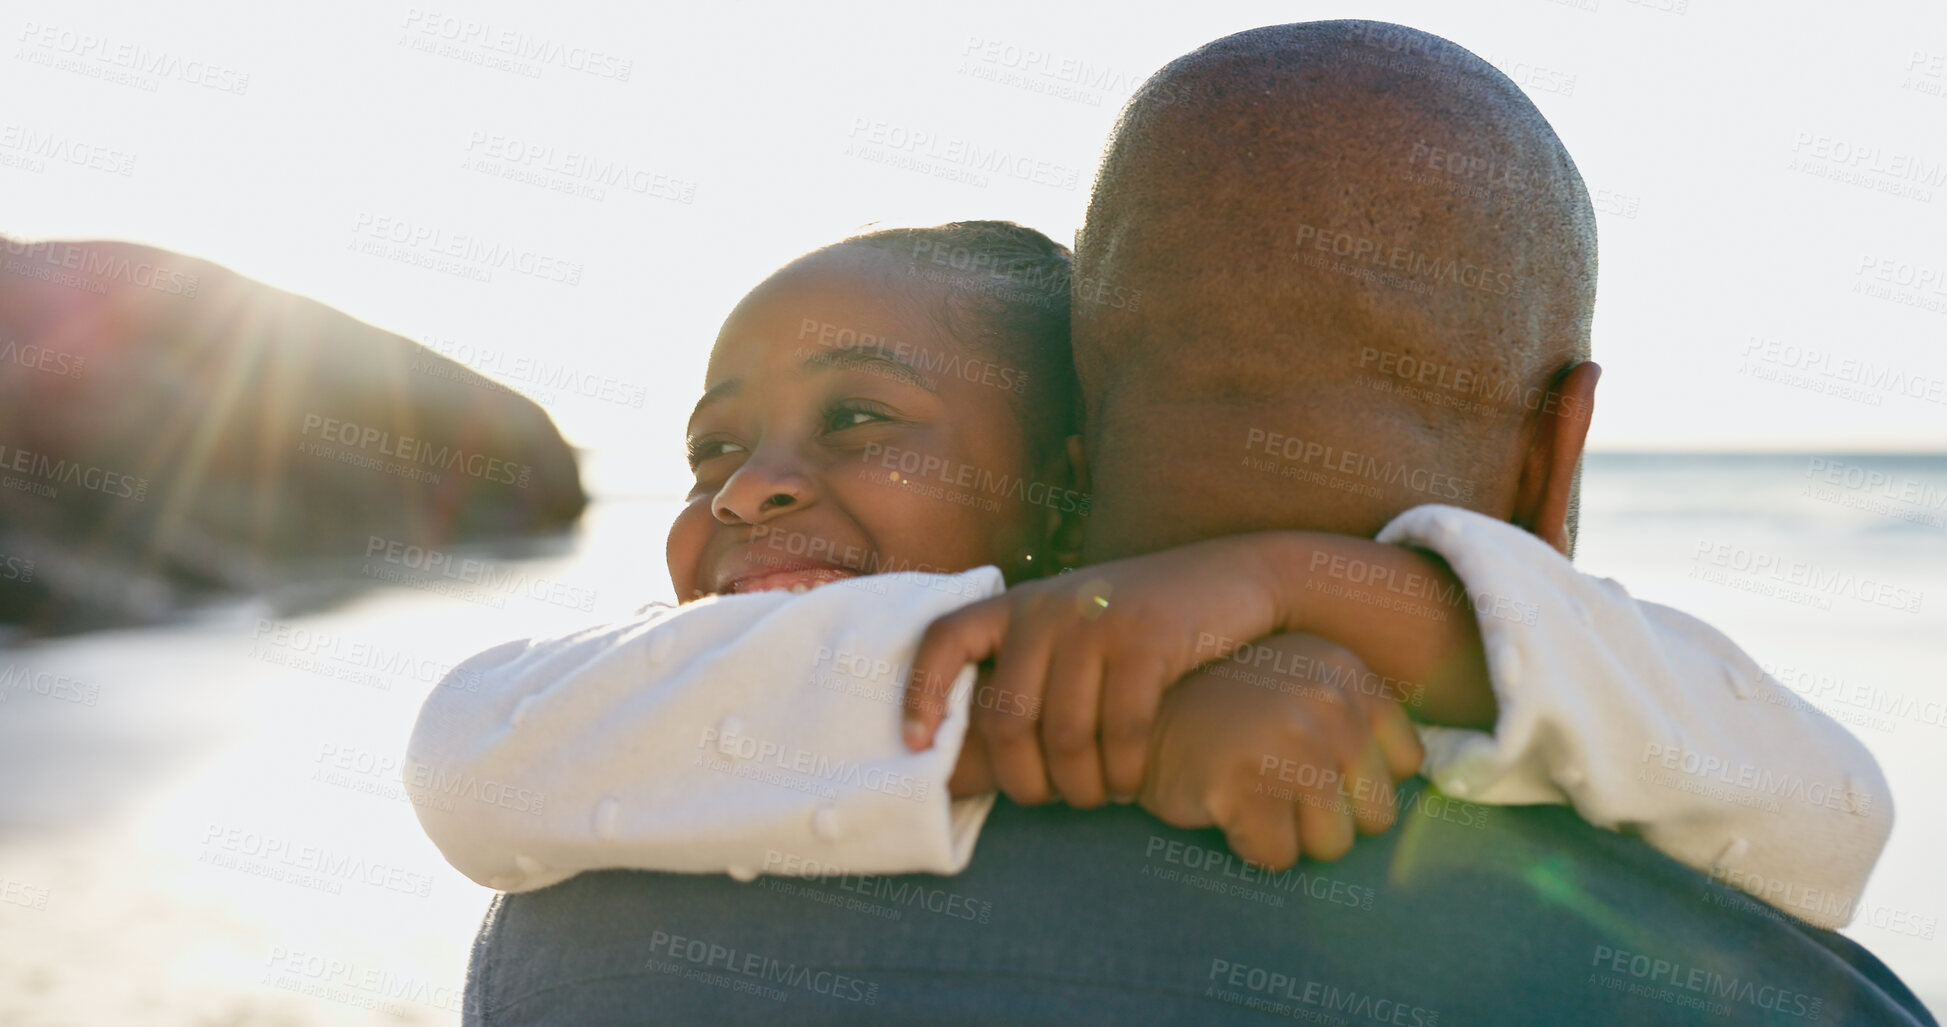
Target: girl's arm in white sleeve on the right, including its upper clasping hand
(1638,716)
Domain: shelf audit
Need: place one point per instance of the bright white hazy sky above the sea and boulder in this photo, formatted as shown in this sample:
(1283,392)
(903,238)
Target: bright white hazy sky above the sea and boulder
(1771,178)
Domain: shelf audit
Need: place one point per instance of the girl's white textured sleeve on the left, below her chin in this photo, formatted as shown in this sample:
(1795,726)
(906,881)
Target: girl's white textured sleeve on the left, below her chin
(747,736)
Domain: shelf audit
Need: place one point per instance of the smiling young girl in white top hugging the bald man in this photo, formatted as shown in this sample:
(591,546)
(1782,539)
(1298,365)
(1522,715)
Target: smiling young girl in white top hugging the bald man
(889,428)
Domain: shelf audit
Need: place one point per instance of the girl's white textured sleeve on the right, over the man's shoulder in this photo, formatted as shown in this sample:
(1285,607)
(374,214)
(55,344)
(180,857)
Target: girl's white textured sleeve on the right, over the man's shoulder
(1652,722)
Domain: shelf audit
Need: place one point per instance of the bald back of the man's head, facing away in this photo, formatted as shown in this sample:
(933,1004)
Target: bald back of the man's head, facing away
(1360,260)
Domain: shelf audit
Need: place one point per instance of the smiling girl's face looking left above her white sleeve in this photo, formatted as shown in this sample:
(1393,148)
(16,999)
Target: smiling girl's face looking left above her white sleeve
(844,434)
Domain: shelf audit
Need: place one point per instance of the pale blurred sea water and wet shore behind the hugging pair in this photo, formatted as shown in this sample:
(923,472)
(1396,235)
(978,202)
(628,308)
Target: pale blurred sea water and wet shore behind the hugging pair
(202,823)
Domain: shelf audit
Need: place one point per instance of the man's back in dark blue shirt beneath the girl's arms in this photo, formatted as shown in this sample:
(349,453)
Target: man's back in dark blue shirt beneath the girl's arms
(1461,915)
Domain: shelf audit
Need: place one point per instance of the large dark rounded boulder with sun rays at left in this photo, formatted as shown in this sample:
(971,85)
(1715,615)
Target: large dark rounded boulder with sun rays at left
(172,430)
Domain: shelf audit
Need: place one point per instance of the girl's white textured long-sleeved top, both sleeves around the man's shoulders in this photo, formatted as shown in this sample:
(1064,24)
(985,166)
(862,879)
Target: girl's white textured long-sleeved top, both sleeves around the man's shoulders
(762,736)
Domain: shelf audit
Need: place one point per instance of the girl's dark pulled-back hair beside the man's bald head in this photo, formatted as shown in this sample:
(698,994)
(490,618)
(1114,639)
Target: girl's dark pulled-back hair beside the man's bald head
(1008,295)
